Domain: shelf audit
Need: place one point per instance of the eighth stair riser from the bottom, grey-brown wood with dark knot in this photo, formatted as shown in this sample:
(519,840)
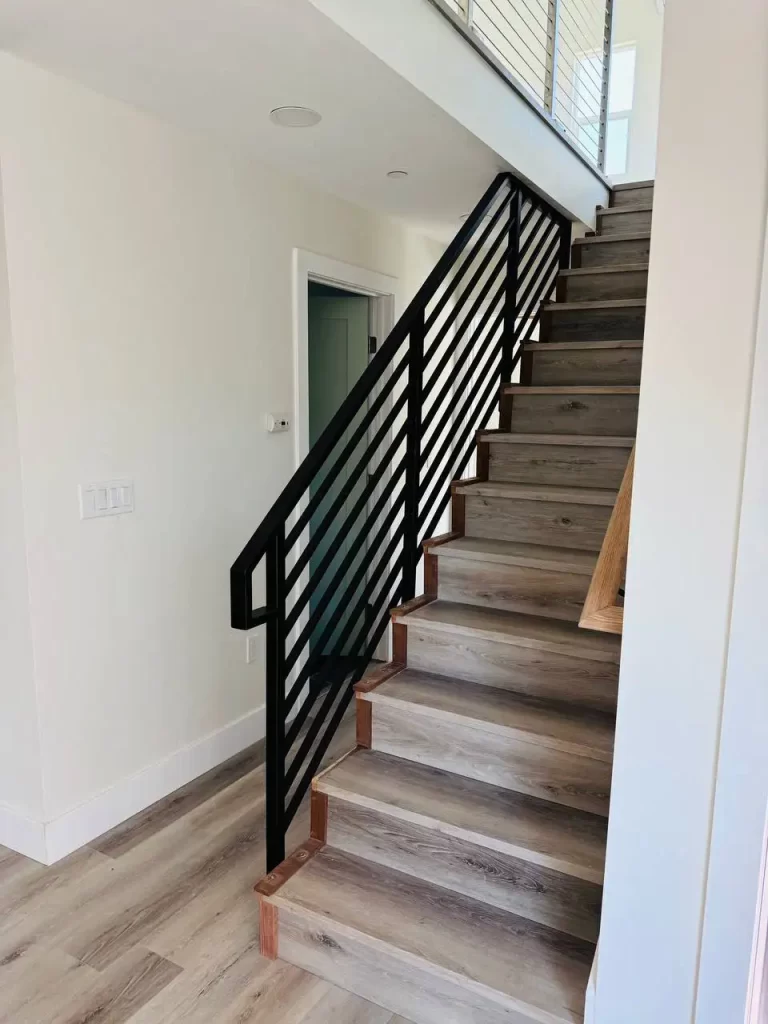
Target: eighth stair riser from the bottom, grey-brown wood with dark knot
(612,415)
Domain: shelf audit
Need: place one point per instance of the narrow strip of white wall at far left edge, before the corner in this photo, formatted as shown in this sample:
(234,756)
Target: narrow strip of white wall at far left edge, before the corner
(21,792)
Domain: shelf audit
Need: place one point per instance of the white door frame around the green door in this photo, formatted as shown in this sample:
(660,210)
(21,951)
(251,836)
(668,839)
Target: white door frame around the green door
(389,304)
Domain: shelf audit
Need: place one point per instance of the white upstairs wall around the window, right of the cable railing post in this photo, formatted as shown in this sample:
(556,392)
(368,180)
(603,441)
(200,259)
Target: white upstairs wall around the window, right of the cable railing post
(639,23)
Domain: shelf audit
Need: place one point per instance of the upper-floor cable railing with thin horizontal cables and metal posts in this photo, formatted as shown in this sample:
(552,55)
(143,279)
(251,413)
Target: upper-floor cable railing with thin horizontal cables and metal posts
(559,52)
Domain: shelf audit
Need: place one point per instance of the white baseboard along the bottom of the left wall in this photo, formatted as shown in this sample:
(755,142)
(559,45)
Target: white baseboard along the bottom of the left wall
(55,840)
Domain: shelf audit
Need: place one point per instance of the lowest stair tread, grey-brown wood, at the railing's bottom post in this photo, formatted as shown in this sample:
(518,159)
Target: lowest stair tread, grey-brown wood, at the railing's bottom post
(515,962)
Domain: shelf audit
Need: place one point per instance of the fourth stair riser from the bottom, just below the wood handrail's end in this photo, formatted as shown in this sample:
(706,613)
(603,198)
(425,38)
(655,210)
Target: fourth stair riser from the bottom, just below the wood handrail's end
(526,670)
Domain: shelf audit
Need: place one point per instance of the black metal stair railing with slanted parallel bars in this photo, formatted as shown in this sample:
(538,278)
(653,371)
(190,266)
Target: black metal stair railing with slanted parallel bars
(343,543)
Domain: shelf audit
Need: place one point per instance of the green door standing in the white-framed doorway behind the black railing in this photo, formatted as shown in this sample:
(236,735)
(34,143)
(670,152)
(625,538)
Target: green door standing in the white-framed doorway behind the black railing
(338,355)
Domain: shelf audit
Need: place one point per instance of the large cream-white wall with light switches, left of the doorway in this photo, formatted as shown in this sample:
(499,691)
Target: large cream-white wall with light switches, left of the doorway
(151,296)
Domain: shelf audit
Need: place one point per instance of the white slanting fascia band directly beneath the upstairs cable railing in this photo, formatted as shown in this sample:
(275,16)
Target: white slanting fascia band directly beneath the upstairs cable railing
(418,42)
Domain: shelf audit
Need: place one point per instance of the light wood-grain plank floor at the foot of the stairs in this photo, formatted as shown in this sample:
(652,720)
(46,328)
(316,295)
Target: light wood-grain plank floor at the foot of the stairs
(156,923)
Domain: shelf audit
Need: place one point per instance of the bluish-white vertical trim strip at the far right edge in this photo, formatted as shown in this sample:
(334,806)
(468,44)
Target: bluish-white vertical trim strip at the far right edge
(732,975)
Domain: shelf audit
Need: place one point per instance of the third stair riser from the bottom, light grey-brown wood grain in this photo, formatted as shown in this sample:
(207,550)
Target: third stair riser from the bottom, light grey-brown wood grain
(500,759)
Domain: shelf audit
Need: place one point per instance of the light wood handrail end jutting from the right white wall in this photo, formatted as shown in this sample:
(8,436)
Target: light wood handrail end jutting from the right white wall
(602,611)
